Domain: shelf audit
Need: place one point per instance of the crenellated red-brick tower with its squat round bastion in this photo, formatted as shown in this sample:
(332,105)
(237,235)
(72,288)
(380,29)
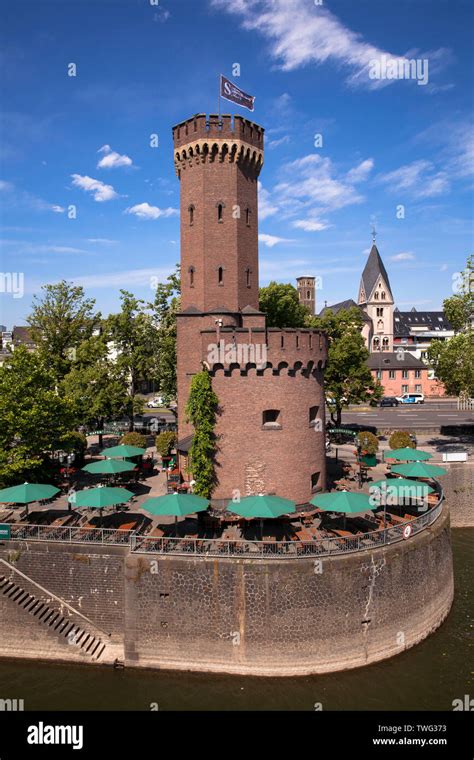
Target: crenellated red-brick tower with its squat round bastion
(269,381)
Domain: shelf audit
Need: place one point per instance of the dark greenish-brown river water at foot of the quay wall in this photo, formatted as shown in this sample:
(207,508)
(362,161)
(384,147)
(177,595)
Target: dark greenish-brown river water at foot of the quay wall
(428,677)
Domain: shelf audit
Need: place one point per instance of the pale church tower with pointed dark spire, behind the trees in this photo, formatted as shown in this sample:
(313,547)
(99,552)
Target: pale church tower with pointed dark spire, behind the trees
(376,300)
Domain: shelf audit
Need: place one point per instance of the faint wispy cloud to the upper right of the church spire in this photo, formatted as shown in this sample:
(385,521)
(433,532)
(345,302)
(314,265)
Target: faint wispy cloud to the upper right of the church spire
(419,179)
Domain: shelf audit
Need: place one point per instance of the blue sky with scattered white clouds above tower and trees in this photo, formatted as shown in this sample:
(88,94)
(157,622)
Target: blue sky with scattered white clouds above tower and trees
(140,68)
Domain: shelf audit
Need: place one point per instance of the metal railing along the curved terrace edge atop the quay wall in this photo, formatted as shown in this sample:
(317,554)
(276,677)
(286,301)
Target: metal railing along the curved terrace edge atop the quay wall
(218,547)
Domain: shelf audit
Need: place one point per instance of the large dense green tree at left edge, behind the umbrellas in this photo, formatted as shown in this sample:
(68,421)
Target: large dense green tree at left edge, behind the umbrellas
(34,417)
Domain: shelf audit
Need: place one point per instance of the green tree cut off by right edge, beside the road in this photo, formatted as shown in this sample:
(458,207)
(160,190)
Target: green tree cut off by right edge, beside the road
(453,359)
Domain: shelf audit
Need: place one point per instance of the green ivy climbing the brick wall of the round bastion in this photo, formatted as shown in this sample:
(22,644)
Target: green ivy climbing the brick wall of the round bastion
(201,411)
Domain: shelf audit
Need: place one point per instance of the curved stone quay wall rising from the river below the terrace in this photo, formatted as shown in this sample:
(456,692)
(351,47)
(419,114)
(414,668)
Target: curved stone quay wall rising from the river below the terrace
(269,617)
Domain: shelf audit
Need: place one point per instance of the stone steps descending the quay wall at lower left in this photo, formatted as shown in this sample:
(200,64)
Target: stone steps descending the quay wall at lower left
(46,614)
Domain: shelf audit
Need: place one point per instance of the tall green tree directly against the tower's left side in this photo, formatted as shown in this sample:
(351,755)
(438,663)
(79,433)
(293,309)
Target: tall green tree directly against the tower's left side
(165,309)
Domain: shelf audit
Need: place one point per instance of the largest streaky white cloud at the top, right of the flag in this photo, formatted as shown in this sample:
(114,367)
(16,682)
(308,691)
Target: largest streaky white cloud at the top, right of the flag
(300,33)
